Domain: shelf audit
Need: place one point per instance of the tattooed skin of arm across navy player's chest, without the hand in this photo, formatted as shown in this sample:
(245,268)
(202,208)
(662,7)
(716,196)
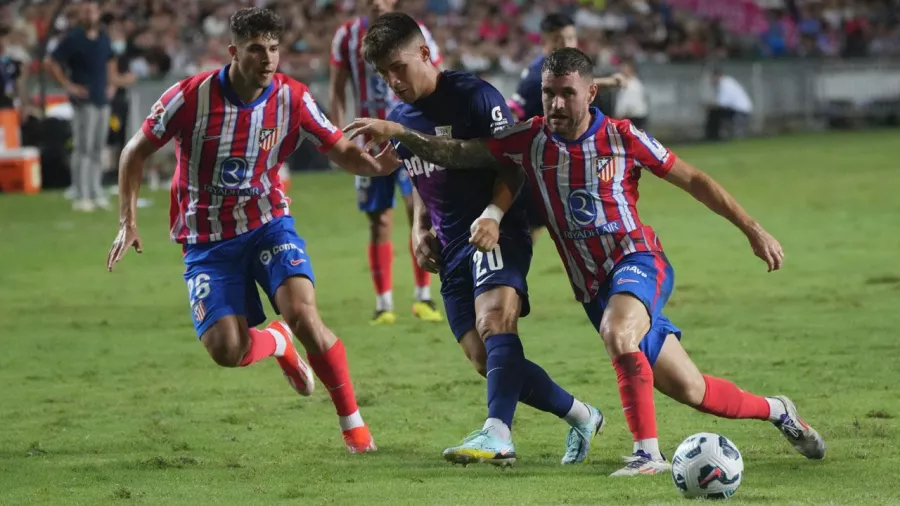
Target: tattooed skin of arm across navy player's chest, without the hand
(449,153)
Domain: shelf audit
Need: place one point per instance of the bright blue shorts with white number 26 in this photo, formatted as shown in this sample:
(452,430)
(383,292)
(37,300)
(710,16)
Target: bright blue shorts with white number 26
(222,276)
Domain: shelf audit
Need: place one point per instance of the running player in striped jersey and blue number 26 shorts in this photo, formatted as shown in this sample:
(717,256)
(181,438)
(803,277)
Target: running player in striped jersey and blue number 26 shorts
(235,126)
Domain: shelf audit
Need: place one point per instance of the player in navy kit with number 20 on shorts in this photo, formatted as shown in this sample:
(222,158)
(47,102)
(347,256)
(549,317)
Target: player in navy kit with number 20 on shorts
(484,290)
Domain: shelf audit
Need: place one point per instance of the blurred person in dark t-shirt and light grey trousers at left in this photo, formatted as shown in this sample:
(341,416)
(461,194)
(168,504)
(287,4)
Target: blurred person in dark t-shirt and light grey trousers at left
(84,64)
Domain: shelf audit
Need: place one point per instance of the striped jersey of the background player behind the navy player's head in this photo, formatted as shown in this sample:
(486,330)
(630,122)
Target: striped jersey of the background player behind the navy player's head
(372,96)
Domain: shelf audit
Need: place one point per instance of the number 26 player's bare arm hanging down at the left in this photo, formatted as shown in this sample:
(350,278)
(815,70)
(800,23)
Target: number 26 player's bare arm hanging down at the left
(131,172)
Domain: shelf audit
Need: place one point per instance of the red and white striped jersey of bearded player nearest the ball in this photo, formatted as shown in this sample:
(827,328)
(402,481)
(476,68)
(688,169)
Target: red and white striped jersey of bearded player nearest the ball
(588,191)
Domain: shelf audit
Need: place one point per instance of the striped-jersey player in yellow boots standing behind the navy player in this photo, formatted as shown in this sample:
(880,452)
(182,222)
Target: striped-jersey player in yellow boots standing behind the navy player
(375,196)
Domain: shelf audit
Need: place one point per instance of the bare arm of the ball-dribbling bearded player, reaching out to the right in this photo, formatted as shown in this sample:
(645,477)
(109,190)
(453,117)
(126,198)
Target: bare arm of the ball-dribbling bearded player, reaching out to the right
(708,191)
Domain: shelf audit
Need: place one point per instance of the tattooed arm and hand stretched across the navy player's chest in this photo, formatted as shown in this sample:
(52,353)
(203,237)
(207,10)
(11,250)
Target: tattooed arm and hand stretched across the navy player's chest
(444,151)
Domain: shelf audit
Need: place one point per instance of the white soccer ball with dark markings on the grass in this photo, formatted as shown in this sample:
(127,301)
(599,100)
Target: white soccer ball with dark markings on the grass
(707,465)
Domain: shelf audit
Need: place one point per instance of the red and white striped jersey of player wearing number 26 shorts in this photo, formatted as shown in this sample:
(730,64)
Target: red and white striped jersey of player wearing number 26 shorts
(228,153)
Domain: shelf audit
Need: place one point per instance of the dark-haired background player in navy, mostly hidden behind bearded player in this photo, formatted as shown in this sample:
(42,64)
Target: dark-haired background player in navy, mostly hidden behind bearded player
(557,31)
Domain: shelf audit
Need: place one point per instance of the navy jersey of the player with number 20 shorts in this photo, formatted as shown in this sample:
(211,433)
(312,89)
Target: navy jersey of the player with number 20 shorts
(462,107)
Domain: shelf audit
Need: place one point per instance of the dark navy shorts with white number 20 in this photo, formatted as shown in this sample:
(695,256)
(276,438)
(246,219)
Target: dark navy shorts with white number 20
(476,272)
